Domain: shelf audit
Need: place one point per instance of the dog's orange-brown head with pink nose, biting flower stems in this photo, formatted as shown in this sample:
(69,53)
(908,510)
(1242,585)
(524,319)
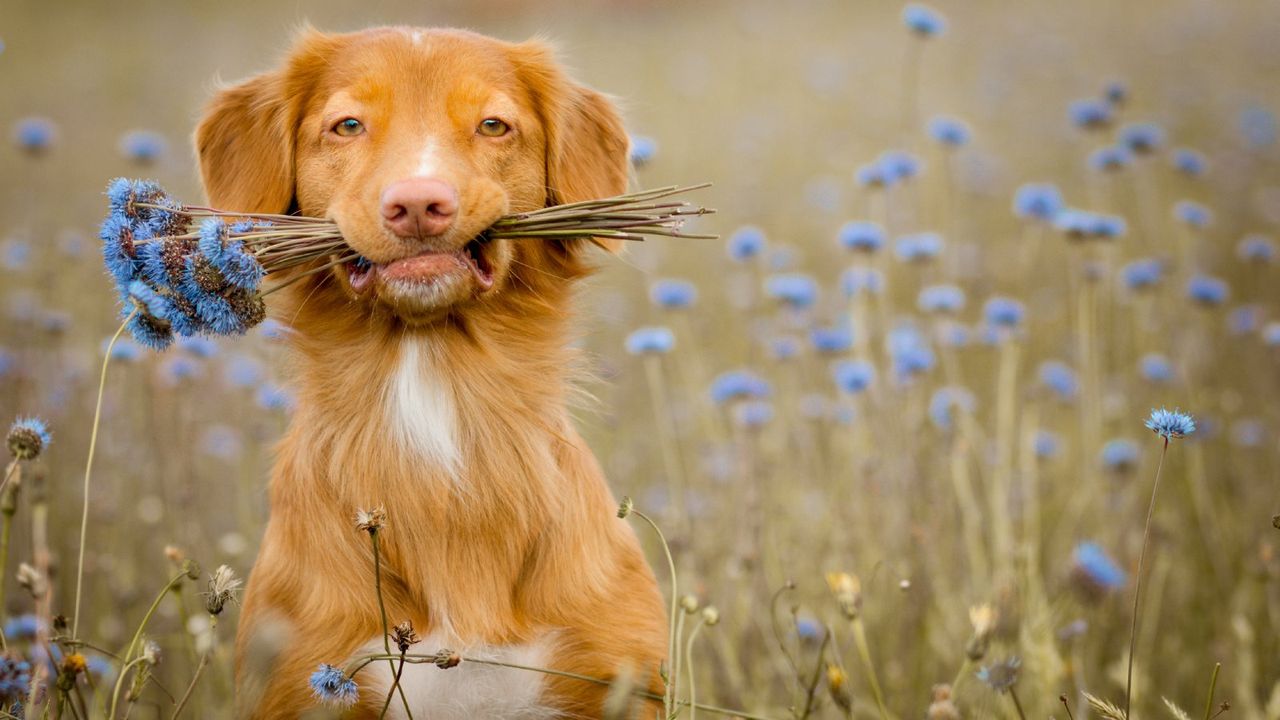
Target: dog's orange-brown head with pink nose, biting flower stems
(414,142)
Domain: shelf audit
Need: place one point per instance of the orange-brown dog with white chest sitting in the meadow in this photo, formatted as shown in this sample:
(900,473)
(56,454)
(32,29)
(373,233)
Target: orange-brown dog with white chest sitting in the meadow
(433,377)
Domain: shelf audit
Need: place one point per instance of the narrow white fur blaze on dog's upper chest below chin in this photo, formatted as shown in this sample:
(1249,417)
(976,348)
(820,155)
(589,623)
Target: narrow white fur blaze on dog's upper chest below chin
(422,408)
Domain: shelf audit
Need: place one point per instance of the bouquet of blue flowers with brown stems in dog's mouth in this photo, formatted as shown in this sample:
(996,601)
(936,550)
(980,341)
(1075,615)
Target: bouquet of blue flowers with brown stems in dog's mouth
(186,270)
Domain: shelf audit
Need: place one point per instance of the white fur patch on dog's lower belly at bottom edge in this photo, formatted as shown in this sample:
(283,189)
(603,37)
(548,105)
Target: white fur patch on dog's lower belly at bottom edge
(469,691)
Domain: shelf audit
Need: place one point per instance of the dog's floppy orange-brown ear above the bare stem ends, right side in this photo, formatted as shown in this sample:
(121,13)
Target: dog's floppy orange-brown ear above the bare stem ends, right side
(587,145)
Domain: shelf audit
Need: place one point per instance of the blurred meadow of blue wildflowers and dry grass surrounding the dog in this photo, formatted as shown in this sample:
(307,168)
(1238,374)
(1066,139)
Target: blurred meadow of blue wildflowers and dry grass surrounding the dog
(892,423)
